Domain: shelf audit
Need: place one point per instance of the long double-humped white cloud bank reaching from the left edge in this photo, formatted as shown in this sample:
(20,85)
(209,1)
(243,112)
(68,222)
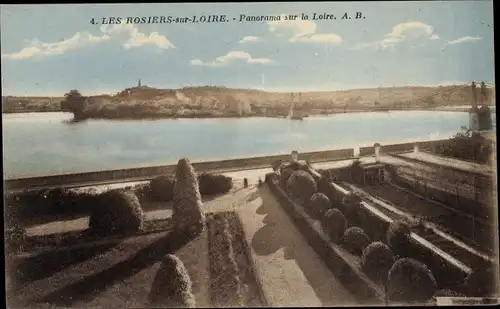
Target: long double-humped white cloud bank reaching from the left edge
(134,38)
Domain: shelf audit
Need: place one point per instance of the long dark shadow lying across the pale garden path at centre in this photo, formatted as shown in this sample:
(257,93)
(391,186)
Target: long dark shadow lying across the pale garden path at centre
(279,232)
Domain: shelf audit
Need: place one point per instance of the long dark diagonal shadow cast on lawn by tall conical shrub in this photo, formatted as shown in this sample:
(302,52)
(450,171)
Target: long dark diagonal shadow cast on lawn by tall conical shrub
(89,287)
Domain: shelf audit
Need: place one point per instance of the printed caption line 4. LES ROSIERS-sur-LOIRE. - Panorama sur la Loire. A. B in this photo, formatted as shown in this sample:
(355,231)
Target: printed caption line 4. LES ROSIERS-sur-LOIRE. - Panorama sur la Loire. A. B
(220,18)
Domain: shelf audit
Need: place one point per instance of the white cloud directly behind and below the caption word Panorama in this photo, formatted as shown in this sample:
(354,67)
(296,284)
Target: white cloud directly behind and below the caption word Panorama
(302,31)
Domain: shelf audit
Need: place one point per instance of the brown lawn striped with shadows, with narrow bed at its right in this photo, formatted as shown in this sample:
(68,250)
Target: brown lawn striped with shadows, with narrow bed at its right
(118,273)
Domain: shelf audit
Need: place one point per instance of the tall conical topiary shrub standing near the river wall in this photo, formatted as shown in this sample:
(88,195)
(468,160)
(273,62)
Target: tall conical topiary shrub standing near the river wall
(188,215)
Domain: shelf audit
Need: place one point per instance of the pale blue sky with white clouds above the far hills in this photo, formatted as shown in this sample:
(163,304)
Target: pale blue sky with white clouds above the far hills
(50,49)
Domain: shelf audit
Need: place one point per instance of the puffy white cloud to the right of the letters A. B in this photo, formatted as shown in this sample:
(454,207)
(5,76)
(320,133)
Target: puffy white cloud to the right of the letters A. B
(400,33)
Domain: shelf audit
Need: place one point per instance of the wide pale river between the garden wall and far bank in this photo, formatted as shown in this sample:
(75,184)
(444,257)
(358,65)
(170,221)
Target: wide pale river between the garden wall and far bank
(45,143)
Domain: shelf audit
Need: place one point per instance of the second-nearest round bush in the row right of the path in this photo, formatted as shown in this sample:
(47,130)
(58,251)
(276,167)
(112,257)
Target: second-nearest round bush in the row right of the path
(376,260)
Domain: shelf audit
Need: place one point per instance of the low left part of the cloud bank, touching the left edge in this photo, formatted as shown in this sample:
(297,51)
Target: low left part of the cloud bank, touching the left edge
(37,48)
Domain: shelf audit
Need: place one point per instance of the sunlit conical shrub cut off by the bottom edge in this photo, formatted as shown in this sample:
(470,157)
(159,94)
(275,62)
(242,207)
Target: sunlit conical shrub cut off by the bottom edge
(172,286)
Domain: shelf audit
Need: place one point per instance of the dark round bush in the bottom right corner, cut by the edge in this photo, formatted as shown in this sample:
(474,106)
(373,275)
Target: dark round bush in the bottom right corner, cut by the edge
(481,283)
